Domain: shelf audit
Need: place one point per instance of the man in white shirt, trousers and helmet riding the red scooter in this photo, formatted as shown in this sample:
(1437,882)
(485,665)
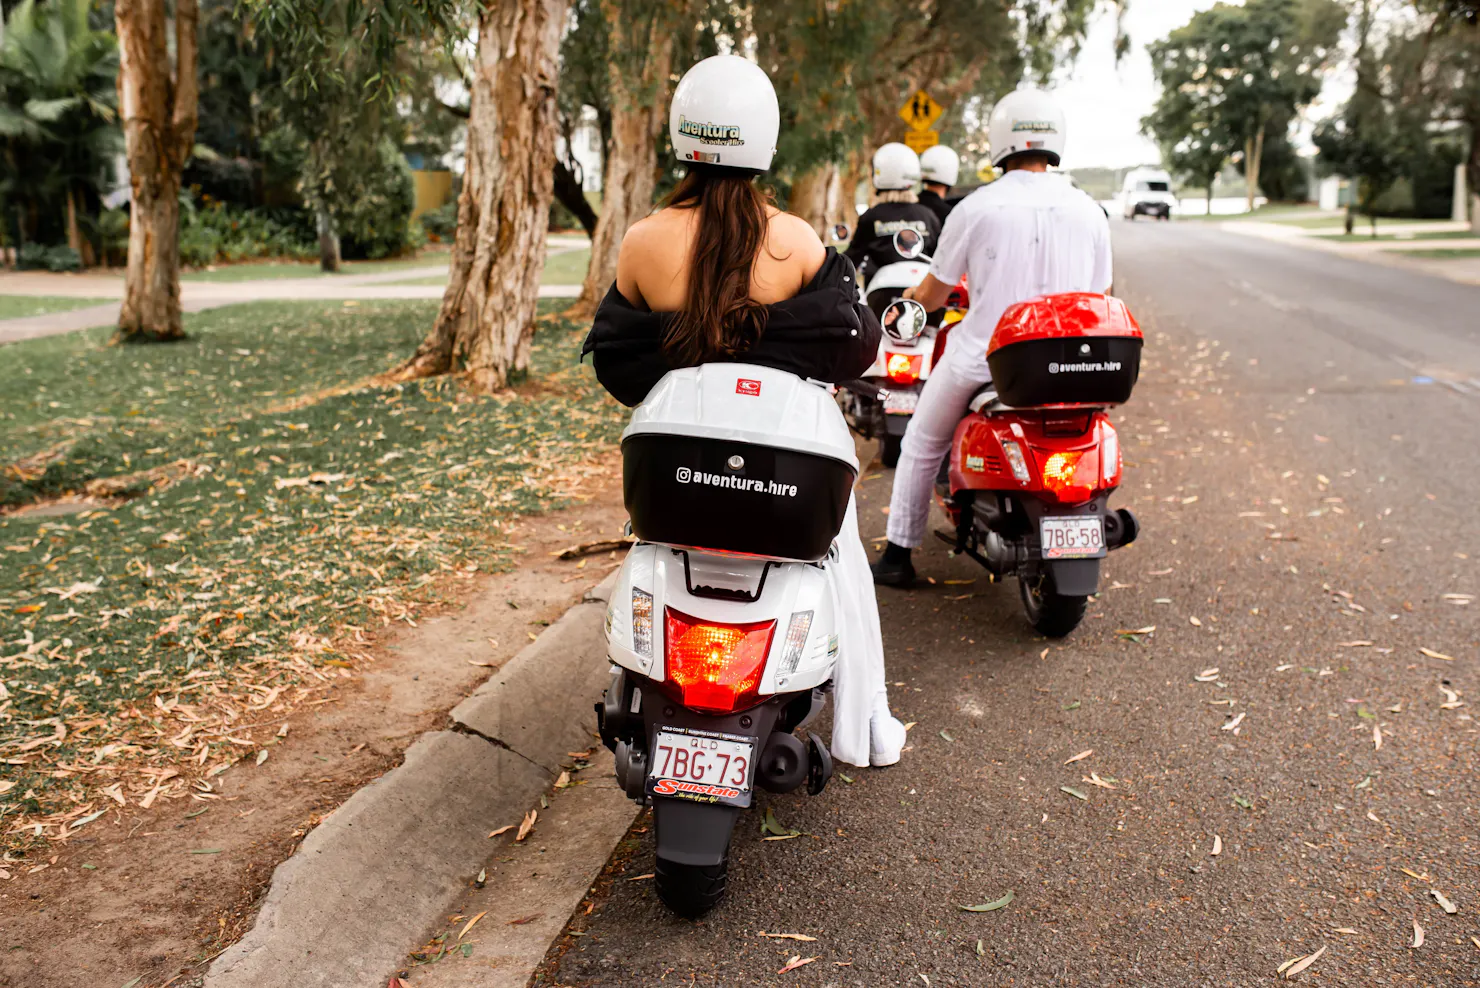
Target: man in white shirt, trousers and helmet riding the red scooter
(1028,234)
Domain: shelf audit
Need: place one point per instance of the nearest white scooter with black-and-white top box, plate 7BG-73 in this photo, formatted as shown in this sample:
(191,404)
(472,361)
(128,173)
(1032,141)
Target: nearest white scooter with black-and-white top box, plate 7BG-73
(723,628)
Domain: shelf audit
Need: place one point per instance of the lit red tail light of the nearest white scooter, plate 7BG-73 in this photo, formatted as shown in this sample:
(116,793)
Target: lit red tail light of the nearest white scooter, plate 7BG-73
(716,668)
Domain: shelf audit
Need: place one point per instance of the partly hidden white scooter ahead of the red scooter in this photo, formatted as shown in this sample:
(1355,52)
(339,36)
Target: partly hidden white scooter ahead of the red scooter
(906,353)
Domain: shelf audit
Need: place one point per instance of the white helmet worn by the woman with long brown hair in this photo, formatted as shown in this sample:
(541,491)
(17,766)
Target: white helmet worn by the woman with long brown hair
(724,113)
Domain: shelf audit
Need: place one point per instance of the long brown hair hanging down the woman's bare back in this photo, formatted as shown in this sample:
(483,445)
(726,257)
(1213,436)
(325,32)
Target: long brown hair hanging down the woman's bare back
(720,319)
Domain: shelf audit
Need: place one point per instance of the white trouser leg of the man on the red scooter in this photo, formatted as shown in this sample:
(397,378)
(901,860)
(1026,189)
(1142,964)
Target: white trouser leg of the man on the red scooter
(927,440)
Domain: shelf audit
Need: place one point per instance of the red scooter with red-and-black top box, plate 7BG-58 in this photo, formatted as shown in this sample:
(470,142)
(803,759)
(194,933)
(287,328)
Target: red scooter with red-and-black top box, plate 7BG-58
(1035,461)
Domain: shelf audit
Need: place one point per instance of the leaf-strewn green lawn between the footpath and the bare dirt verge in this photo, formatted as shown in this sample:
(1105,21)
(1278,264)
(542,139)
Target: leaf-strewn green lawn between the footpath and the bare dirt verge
(280,510)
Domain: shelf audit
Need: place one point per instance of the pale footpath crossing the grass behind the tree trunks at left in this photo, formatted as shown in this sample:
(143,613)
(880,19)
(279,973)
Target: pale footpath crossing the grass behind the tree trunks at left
(209,295)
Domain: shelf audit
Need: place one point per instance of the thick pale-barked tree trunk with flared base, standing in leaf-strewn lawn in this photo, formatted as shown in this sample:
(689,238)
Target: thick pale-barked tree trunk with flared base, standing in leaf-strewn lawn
(488,319)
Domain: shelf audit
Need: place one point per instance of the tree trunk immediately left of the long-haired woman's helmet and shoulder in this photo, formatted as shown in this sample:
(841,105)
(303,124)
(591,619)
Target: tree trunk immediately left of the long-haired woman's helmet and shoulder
(639,116)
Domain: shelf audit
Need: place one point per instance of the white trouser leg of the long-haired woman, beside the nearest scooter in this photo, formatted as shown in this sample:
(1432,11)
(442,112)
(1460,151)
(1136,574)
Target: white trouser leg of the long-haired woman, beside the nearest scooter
(859,686)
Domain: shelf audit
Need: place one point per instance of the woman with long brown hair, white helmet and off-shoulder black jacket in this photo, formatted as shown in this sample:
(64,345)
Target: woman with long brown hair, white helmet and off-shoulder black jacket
(720,274)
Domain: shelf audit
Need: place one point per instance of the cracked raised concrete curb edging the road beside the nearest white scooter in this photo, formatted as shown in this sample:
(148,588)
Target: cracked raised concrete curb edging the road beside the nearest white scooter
(387,864)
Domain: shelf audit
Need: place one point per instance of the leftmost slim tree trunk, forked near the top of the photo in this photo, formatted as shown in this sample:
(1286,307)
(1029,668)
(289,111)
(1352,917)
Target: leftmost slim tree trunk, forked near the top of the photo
(159,110)
